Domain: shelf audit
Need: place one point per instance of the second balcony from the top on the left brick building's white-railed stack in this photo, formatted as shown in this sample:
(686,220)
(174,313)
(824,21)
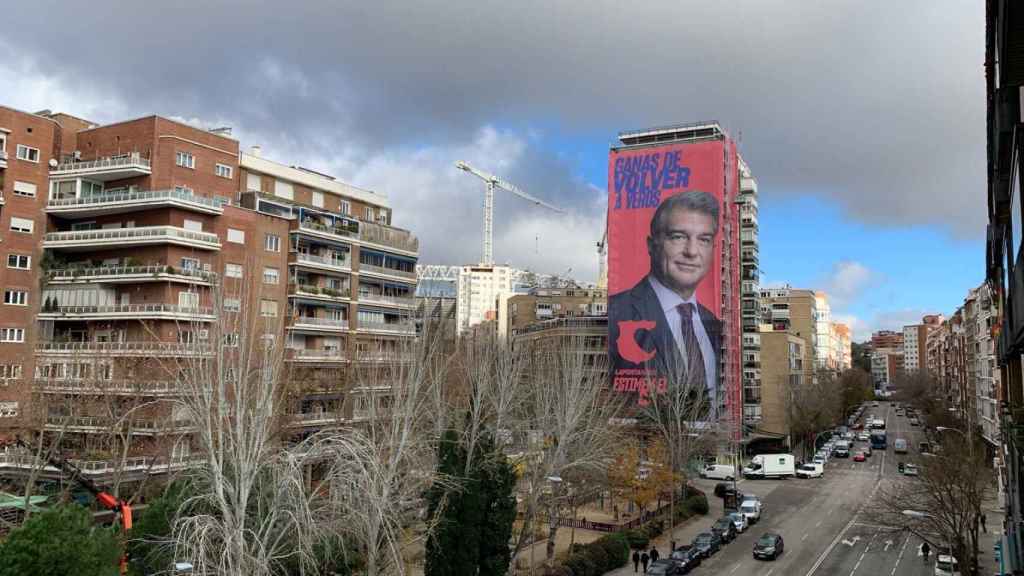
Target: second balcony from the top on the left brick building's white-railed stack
(117,203)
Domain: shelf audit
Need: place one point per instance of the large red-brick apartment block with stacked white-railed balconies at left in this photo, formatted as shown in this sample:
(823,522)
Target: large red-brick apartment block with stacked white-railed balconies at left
(118,238)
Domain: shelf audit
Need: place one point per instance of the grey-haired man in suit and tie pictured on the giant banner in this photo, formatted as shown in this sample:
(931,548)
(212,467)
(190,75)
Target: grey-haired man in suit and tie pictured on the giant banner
(659,325)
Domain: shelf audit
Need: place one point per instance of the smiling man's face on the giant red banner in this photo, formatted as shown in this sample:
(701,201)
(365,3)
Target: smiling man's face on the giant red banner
(682,251)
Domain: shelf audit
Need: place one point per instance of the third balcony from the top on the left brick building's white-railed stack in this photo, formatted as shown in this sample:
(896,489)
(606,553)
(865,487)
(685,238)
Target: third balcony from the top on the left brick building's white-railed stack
(131,237)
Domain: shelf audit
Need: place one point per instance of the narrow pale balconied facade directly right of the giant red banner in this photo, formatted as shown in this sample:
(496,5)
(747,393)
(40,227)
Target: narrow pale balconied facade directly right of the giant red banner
(750,297)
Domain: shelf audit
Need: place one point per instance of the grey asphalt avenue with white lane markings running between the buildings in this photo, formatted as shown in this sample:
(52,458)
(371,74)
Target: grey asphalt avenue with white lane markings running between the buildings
(820,522)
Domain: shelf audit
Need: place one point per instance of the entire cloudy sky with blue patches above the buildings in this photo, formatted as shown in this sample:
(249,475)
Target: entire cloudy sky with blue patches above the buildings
(864,124)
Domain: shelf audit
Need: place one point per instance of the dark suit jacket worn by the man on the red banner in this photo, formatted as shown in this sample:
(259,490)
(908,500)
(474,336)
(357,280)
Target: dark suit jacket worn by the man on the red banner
(641,303)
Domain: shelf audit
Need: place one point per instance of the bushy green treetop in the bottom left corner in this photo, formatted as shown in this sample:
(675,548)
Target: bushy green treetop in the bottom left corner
(59,542)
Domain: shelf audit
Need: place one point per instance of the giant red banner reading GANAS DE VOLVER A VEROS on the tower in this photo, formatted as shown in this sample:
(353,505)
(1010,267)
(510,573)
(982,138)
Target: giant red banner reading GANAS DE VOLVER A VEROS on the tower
(671,227)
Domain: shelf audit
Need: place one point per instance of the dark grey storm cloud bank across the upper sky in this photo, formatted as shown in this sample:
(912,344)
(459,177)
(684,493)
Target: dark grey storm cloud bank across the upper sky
(878,106)
